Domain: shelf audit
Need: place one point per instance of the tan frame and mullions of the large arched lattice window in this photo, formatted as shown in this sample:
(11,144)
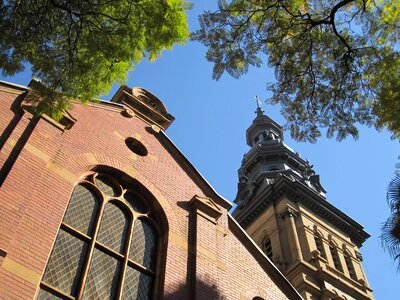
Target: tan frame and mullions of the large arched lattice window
(88,181)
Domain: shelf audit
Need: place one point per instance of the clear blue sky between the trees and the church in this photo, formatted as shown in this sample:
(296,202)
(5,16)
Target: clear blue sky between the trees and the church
(211,120)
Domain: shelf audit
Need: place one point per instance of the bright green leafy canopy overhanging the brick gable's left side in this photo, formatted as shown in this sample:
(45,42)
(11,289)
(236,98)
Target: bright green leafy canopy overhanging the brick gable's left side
(80,48)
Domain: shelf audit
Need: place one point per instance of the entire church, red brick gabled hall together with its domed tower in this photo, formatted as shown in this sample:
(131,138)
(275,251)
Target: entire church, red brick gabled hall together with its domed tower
(101,204)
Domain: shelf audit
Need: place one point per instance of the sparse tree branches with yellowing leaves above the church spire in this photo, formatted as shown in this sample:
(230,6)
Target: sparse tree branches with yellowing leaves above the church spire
(336,62)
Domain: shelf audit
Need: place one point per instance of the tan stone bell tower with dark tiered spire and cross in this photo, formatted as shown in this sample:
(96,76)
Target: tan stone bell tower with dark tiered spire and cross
(282,206)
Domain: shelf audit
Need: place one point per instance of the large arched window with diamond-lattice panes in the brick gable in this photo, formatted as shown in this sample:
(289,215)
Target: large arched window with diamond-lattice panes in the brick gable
(106,247)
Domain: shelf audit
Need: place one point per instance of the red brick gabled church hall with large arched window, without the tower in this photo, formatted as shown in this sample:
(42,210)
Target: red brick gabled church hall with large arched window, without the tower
(102,204)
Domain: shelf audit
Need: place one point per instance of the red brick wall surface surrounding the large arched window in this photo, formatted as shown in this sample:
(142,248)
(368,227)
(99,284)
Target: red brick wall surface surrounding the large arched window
(35,193)
